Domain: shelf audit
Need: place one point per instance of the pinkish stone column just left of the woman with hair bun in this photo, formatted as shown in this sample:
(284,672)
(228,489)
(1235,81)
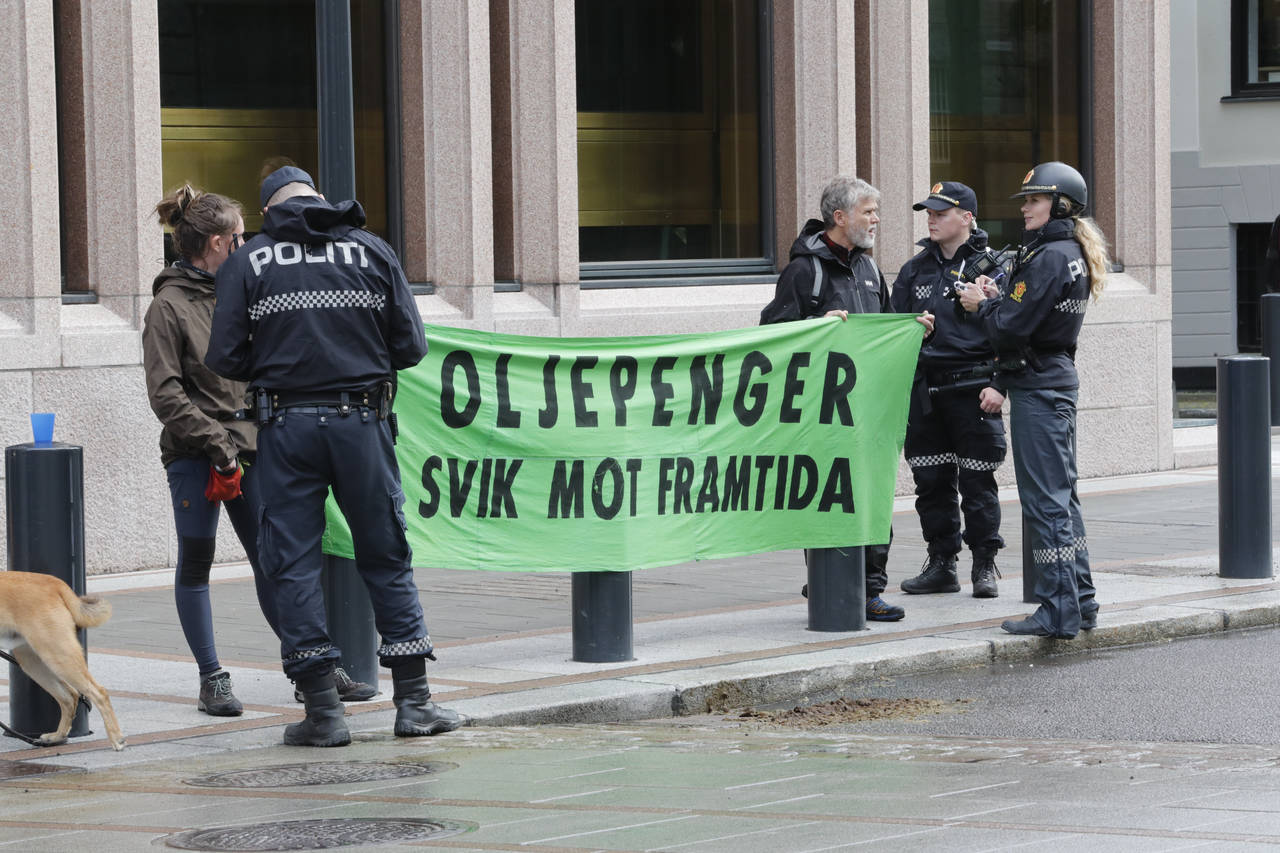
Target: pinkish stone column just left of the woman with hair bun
(122,153)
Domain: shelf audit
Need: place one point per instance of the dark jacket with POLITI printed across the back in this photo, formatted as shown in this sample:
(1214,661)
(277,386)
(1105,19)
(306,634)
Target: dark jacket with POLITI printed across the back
(314,304)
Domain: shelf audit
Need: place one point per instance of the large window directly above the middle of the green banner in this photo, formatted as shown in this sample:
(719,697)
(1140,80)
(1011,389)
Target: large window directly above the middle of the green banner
(670,136)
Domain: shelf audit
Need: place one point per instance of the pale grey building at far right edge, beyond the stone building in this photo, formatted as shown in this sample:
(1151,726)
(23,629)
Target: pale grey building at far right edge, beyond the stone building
(1226,175)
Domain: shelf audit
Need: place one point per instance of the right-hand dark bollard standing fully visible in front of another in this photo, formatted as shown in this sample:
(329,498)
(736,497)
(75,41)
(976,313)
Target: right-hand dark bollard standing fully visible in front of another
(1244,467)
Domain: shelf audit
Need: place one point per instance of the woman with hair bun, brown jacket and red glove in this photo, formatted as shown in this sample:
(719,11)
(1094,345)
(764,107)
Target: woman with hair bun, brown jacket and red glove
(207,453)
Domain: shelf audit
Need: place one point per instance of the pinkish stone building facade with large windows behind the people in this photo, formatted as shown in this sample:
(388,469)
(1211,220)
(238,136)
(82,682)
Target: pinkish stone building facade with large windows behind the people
(556,168)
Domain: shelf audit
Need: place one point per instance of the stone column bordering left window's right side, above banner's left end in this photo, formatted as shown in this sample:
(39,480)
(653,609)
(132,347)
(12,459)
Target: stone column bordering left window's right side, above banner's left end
(447,153)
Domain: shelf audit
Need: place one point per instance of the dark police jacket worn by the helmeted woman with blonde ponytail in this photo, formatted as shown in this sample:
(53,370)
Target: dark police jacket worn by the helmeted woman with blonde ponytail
(1041,314)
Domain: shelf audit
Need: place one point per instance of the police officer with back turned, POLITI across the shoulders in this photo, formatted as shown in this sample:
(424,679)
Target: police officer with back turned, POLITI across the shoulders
(316,313)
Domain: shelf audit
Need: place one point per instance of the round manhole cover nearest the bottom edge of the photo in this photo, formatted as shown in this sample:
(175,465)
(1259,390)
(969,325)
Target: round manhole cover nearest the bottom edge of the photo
(317,834)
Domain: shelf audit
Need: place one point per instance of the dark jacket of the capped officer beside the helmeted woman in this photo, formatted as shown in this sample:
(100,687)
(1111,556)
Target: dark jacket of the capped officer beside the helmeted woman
(922,285)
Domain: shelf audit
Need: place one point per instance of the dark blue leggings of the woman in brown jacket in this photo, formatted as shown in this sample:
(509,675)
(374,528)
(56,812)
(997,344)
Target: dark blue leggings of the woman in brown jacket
(196,521)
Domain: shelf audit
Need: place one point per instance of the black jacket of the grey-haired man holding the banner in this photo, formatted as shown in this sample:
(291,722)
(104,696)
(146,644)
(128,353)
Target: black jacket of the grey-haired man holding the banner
(856,286)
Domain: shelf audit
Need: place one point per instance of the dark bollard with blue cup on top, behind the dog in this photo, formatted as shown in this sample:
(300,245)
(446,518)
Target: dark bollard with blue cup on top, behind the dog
(45,501)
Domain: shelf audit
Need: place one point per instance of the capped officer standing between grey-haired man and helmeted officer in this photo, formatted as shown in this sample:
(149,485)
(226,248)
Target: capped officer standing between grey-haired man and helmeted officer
(953,445)
